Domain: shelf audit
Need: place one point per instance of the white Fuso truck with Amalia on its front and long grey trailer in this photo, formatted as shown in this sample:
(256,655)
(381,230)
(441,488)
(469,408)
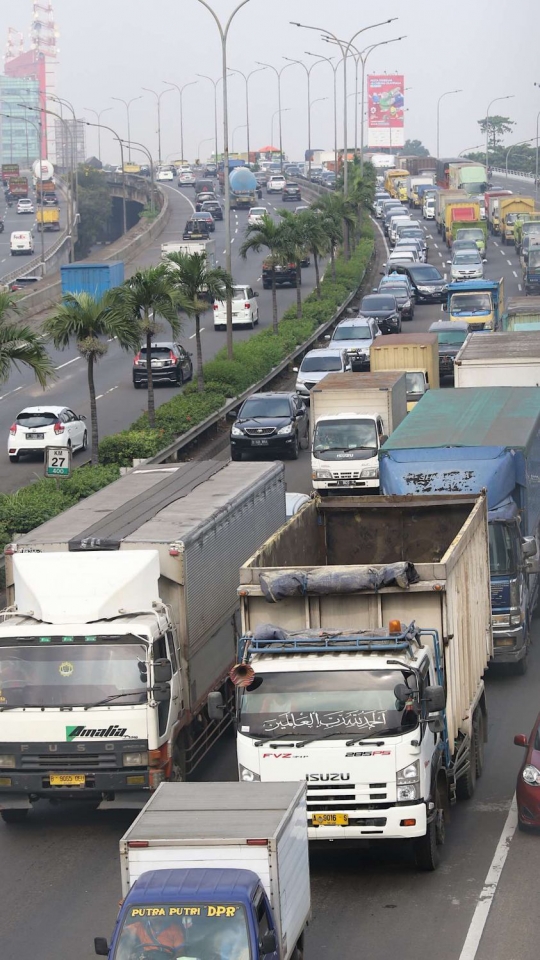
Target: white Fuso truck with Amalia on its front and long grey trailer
(122,618)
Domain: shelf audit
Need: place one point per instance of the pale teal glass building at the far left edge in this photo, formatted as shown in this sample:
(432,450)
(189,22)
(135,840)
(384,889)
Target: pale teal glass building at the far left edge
(19,126)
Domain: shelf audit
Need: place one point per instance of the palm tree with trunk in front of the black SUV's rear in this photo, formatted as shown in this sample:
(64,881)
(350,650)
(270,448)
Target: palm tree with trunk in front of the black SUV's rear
(148,297)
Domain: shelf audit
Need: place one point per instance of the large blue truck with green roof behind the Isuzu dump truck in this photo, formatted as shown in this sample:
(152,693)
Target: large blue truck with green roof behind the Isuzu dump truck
(466,440)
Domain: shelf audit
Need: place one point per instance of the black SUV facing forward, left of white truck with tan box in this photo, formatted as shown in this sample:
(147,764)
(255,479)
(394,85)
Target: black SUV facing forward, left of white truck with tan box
(275,424)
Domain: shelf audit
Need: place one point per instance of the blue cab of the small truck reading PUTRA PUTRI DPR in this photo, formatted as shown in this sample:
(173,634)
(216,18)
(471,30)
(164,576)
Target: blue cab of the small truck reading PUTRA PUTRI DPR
(202,914)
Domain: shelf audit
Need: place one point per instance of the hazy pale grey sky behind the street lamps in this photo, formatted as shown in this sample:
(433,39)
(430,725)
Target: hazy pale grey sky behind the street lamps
(115,47)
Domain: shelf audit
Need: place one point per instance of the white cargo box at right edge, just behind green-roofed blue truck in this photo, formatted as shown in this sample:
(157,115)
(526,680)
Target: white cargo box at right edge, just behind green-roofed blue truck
(500,360)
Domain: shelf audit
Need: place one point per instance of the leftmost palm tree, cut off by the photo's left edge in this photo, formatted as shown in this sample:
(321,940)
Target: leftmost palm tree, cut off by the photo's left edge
(20,345)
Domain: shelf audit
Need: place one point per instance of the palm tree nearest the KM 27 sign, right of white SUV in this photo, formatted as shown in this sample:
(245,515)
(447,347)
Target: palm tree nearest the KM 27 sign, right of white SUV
(89,320)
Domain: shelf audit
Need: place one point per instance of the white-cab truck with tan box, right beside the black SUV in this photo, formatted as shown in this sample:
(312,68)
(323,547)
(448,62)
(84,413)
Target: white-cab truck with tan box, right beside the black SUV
(351,416)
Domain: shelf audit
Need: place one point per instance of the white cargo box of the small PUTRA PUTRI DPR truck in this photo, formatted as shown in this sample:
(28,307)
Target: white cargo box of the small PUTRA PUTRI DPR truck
(228,826)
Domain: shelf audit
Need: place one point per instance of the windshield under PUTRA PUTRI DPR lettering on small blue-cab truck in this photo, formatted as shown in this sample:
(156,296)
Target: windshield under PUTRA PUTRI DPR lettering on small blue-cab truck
(202,931)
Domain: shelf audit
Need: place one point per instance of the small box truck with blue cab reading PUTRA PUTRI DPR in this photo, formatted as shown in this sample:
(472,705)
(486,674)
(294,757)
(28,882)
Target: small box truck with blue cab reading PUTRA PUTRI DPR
(224,872)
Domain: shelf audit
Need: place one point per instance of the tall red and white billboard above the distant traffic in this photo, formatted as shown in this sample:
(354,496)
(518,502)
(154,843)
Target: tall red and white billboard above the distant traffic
(386,110)
